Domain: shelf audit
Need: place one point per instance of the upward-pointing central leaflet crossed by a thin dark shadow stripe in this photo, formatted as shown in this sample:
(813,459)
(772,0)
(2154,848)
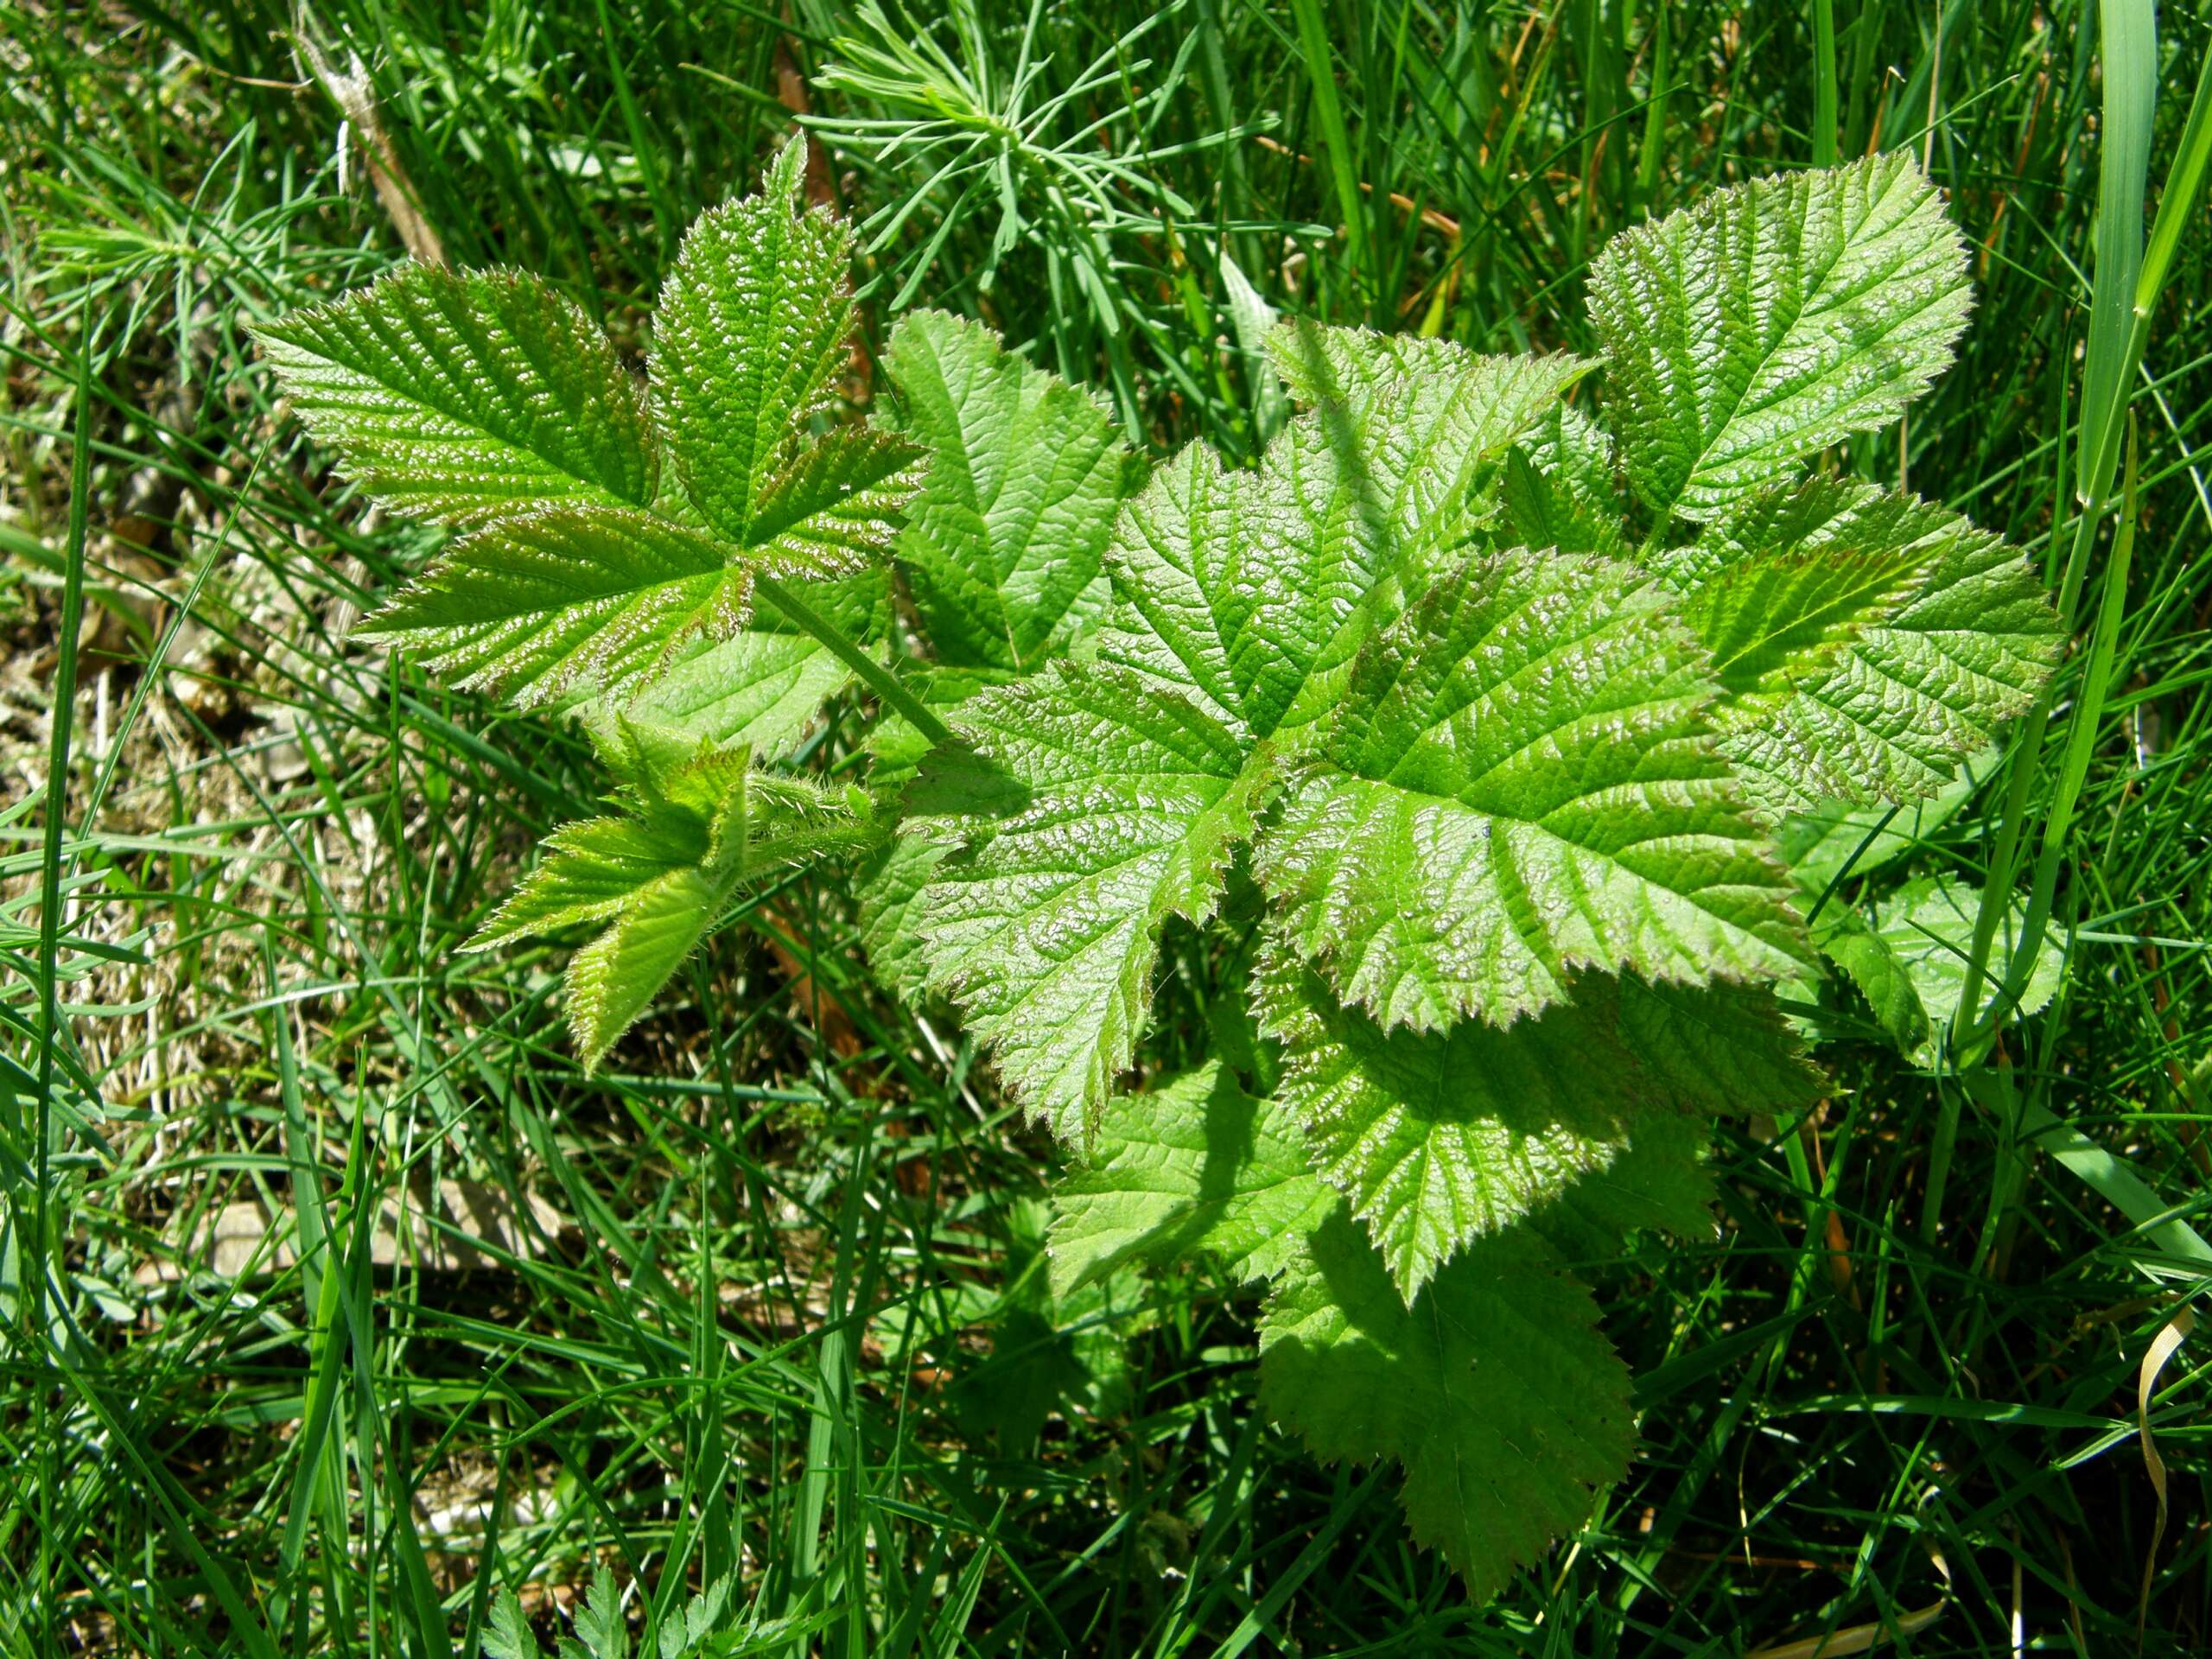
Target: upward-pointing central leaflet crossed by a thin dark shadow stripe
(1253,589)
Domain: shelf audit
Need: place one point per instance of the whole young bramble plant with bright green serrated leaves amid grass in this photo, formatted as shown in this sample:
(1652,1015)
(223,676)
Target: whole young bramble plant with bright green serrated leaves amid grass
(1452,751)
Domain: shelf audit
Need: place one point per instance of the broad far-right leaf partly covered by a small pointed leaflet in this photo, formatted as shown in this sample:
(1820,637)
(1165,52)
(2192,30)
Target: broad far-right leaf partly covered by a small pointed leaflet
(1957,647)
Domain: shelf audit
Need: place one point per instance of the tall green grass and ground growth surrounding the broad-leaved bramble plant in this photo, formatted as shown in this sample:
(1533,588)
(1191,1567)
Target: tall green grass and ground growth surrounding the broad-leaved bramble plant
(760,1302)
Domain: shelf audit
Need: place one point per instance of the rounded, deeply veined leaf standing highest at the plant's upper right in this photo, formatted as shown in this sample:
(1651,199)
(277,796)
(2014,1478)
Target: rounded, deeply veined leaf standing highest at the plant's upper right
(1771,322)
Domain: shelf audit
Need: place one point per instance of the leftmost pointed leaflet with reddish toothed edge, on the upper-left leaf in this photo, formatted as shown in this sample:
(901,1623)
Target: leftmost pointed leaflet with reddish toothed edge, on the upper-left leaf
(461,397)
